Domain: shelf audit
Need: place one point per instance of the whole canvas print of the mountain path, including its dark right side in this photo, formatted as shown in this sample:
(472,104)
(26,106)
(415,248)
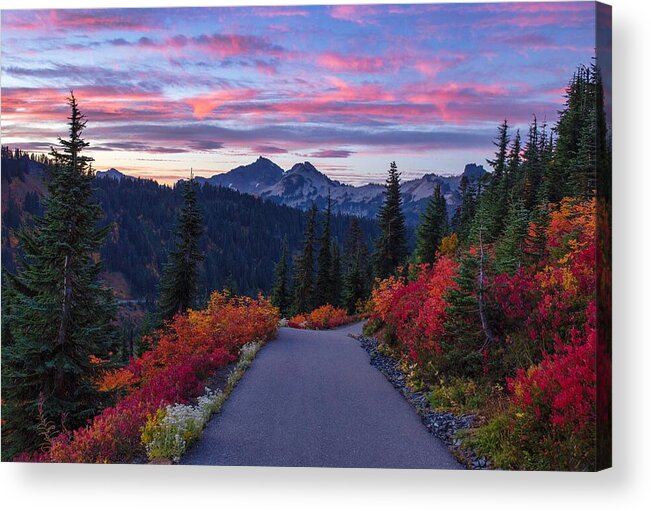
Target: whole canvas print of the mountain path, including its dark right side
(372,236)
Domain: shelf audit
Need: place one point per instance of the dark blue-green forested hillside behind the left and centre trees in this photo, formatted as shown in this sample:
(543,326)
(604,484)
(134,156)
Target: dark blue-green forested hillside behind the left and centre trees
(242,242)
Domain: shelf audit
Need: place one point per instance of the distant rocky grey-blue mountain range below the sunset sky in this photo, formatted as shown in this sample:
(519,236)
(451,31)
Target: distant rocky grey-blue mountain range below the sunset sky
(303,185)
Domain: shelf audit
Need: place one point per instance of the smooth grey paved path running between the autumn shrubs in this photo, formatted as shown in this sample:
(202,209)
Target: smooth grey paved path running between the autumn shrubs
(312,399)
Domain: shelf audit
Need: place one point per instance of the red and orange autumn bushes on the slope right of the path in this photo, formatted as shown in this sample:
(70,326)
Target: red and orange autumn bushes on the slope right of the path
(546,342)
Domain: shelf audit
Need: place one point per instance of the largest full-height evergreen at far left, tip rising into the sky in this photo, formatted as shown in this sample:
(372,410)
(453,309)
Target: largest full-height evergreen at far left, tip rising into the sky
(60,313)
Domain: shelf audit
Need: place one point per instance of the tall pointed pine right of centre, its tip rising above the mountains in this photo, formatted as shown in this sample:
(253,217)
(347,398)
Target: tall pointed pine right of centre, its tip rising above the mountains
(391,246)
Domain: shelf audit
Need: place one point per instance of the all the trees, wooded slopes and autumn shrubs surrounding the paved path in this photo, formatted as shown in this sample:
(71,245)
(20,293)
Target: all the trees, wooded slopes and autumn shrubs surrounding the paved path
(501,310)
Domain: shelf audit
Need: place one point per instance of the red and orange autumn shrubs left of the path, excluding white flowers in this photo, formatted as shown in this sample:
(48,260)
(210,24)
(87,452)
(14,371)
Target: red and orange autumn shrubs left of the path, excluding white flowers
(180,358)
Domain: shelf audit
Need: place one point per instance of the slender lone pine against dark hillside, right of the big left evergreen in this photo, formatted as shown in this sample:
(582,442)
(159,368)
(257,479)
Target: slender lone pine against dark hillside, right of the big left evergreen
(180,281)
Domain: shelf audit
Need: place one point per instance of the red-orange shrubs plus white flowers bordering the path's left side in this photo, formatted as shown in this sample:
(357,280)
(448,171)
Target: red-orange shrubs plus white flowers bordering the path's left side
(155,391)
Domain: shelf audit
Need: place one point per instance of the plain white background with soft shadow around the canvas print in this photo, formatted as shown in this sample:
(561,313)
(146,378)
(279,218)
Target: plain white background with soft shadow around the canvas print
(627,486)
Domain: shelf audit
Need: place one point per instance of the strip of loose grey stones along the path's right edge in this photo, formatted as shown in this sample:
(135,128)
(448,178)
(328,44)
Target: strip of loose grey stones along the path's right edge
(443,425)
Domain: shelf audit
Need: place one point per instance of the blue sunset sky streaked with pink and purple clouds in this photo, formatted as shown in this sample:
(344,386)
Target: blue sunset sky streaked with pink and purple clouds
(349,88)
